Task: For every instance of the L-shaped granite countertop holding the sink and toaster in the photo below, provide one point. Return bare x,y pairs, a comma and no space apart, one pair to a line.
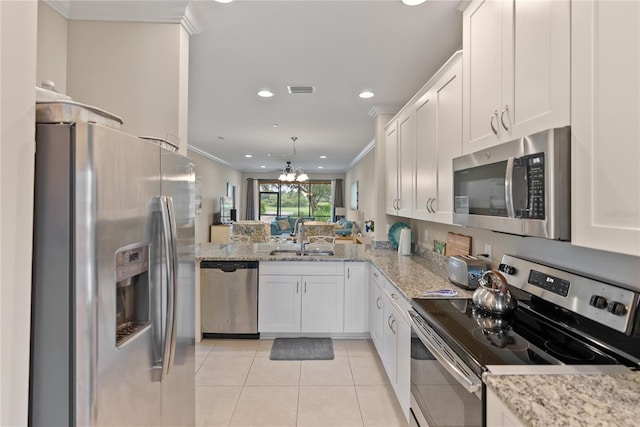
413,275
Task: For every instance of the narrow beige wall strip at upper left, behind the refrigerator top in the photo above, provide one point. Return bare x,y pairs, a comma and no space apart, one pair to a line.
52,47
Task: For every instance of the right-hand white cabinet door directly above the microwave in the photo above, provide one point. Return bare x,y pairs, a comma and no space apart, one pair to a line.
536,77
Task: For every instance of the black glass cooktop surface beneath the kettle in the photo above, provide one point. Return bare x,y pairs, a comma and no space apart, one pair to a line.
521,338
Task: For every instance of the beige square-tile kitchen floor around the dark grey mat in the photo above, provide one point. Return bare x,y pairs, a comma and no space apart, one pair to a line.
237,385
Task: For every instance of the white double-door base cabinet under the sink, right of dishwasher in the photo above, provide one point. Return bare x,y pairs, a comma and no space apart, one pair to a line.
291,302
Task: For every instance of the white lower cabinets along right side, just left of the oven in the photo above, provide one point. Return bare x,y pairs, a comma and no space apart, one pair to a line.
391,333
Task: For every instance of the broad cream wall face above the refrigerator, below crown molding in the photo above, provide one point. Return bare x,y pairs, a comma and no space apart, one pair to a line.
135,70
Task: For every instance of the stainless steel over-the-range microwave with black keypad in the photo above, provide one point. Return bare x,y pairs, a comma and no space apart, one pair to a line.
519,187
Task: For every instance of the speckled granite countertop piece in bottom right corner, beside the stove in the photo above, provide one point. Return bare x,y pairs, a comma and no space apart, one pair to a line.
570,400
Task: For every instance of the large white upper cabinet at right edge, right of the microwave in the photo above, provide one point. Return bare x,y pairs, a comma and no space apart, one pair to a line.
605,120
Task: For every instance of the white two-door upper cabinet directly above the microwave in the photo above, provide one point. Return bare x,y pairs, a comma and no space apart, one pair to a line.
516,69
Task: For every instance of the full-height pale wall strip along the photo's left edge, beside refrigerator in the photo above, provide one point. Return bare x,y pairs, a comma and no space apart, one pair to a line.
18,28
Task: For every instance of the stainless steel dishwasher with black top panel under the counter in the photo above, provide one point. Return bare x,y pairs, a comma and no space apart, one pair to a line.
229,299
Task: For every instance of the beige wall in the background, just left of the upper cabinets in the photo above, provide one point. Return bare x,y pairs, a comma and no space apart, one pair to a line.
365,173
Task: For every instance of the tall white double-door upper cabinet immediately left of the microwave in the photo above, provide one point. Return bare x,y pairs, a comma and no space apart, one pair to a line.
438,140
